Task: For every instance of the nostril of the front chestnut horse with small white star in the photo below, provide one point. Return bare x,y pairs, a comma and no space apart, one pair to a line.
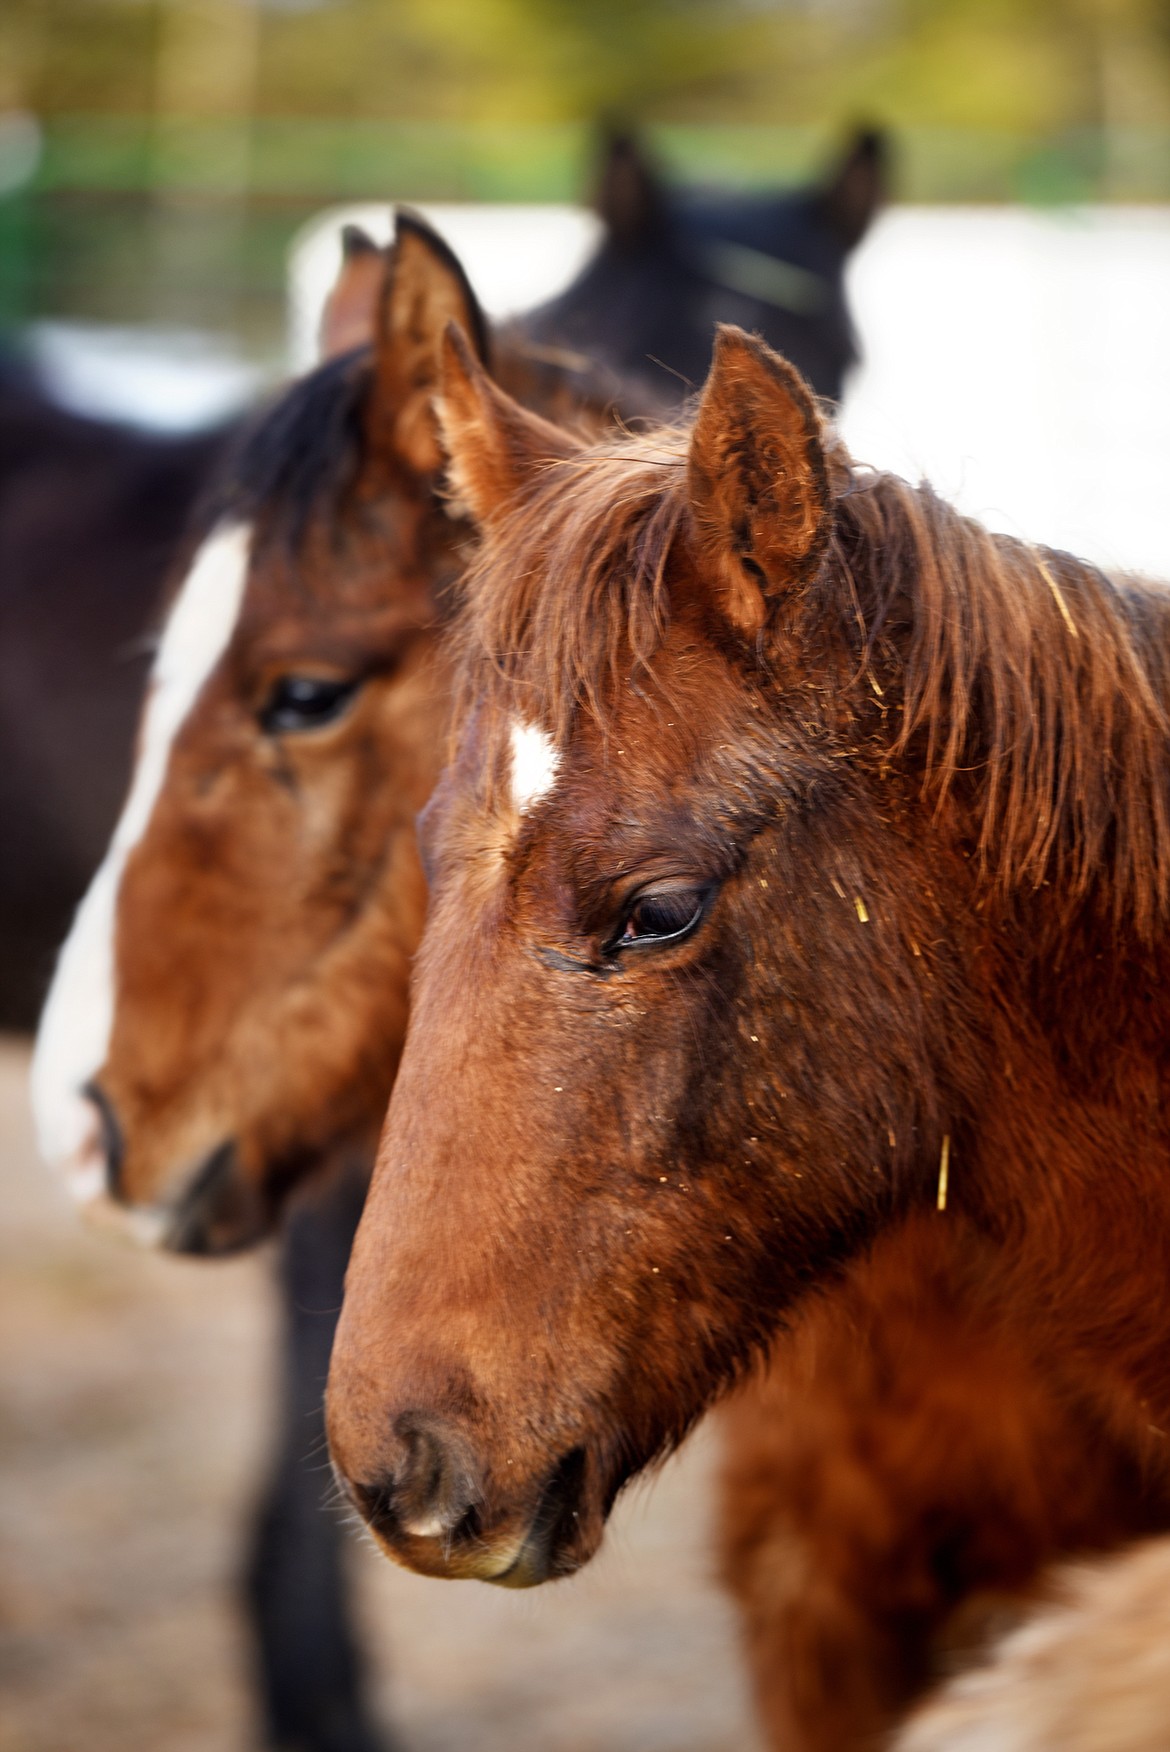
433,1487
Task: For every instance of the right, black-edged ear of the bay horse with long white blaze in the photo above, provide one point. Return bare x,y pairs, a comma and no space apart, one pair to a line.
425,290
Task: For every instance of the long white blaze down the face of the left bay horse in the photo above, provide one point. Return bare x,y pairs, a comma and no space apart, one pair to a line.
78,1019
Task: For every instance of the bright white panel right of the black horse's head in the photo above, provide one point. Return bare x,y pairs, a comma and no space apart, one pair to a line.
1022,364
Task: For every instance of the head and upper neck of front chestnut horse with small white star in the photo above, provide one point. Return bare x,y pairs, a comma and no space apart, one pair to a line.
775,793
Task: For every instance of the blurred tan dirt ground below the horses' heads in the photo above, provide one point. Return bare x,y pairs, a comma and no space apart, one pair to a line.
134,1415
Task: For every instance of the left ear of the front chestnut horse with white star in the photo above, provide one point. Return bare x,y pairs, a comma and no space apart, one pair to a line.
493,444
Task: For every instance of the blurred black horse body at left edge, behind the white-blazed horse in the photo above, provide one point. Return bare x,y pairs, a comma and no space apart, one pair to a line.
90,519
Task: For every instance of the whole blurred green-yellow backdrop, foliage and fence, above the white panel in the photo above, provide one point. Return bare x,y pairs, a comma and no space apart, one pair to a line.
241,118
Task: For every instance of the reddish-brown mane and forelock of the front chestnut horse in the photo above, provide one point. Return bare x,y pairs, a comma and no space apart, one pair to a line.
1022,675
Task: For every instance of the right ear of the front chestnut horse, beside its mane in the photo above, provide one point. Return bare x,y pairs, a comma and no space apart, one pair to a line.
756,477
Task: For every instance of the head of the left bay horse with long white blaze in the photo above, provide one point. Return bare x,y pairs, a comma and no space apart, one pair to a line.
232,1001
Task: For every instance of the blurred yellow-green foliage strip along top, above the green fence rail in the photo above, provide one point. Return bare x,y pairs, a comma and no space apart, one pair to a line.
1018,66
